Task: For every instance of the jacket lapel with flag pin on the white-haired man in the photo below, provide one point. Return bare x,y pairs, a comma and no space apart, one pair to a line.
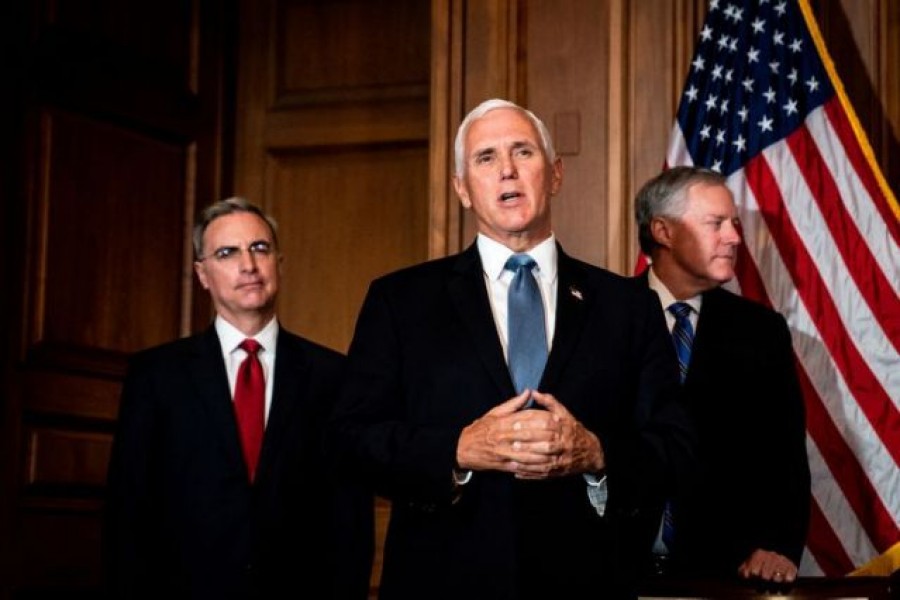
572,299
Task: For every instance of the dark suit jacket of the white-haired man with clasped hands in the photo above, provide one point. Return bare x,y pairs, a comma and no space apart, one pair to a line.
426,361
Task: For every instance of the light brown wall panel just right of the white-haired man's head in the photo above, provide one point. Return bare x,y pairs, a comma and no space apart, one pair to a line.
572,98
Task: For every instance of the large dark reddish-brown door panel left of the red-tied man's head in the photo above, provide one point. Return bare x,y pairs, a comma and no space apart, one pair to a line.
109,271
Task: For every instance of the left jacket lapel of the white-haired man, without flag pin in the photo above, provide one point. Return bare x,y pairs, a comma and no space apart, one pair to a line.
467,292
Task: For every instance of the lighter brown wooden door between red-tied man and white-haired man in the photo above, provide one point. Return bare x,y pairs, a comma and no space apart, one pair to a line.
332,138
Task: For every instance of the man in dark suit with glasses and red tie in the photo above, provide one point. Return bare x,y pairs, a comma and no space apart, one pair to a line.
197,509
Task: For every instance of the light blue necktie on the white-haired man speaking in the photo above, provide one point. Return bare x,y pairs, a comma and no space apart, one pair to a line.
527,351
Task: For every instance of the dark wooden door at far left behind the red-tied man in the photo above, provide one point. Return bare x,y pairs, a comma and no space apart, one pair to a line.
115,136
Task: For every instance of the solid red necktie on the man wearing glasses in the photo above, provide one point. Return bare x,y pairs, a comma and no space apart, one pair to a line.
250,404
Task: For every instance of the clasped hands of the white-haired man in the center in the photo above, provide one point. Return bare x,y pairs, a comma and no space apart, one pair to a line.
530,443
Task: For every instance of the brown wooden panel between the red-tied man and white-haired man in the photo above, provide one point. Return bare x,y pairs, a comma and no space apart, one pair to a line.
345,216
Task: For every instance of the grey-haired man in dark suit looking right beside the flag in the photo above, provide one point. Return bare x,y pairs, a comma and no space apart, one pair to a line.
746,511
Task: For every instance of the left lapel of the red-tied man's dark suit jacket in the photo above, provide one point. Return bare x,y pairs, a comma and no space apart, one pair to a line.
211,385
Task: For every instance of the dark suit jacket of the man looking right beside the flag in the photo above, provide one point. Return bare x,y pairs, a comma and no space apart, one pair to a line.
752,487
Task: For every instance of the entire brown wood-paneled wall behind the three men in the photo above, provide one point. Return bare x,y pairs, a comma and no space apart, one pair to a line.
344,124
